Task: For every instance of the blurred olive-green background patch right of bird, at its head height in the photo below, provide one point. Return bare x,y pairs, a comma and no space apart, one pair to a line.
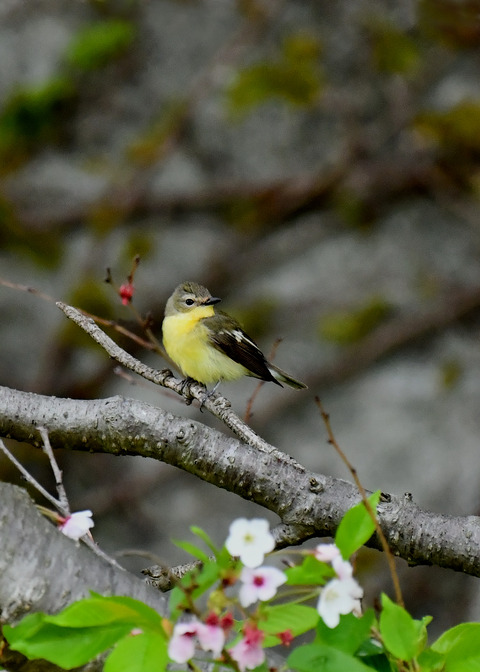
347,327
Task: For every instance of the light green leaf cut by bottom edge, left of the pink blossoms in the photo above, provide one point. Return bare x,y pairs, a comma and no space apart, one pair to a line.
145,652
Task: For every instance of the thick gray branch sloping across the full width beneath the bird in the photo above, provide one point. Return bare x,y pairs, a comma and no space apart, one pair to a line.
308,504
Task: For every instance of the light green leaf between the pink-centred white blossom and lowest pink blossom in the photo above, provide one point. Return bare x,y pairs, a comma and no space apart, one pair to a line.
295,617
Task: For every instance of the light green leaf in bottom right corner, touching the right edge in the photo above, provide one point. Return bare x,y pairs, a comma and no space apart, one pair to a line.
459,646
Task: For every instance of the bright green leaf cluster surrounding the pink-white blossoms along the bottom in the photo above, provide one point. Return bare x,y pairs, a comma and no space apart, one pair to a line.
137,636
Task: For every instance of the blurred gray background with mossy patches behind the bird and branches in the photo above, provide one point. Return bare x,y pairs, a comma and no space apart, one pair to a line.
316,164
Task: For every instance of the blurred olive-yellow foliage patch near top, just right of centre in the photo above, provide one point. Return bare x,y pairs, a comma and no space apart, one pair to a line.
296,78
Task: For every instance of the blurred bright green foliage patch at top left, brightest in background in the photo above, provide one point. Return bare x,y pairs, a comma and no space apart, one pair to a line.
100,43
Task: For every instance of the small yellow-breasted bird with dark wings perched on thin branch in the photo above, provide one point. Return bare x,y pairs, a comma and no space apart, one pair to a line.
212,347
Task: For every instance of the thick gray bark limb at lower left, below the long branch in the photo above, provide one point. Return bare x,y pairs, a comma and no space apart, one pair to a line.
42,570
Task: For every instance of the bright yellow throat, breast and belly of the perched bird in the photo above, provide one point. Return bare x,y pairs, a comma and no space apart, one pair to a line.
186,343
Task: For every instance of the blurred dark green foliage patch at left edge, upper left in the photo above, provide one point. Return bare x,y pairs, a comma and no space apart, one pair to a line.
32,116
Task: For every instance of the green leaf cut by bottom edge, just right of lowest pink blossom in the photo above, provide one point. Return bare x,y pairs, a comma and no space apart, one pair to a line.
316,657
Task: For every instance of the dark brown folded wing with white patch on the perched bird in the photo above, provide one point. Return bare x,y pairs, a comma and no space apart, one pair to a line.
227,336
